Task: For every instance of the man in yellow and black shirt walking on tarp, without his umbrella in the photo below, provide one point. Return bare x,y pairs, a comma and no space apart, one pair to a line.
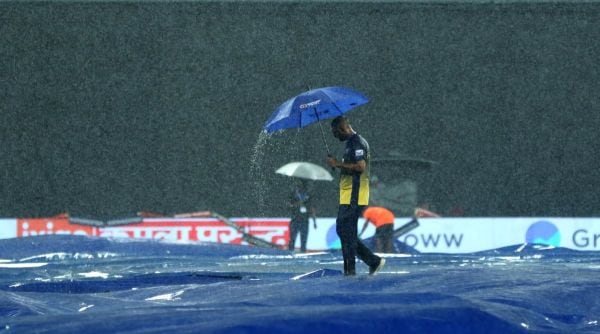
354,196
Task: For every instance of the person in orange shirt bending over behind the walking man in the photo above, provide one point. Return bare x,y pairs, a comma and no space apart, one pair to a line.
383,219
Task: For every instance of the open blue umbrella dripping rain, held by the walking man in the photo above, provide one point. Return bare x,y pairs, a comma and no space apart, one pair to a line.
313,106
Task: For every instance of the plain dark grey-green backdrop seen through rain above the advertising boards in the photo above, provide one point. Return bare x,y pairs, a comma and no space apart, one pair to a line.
112,108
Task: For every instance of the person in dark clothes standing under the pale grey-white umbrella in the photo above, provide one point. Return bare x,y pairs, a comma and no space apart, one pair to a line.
301,210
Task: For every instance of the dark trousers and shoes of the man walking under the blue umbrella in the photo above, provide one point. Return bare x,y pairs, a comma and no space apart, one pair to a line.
347,230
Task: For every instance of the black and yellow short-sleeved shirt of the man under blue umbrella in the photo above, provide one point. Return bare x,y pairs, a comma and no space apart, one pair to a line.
354,186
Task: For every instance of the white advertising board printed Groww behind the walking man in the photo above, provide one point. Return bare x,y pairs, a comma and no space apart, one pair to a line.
467,235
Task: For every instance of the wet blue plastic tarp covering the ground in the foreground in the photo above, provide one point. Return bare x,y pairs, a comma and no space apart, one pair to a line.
68,284
